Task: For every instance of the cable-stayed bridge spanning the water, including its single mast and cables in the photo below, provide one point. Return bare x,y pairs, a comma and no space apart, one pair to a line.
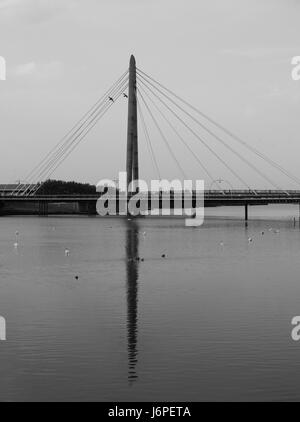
153,105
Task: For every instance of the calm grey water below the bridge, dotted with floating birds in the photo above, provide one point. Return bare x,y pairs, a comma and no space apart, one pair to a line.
212,321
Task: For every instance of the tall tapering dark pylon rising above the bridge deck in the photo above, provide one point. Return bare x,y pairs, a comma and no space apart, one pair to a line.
132,164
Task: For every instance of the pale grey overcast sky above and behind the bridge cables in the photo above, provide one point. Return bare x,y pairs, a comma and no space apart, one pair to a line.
229,58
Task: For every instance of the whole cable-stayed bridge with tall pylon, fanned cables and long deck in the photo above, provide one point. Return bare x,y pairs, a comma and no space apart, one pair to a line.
144,92
